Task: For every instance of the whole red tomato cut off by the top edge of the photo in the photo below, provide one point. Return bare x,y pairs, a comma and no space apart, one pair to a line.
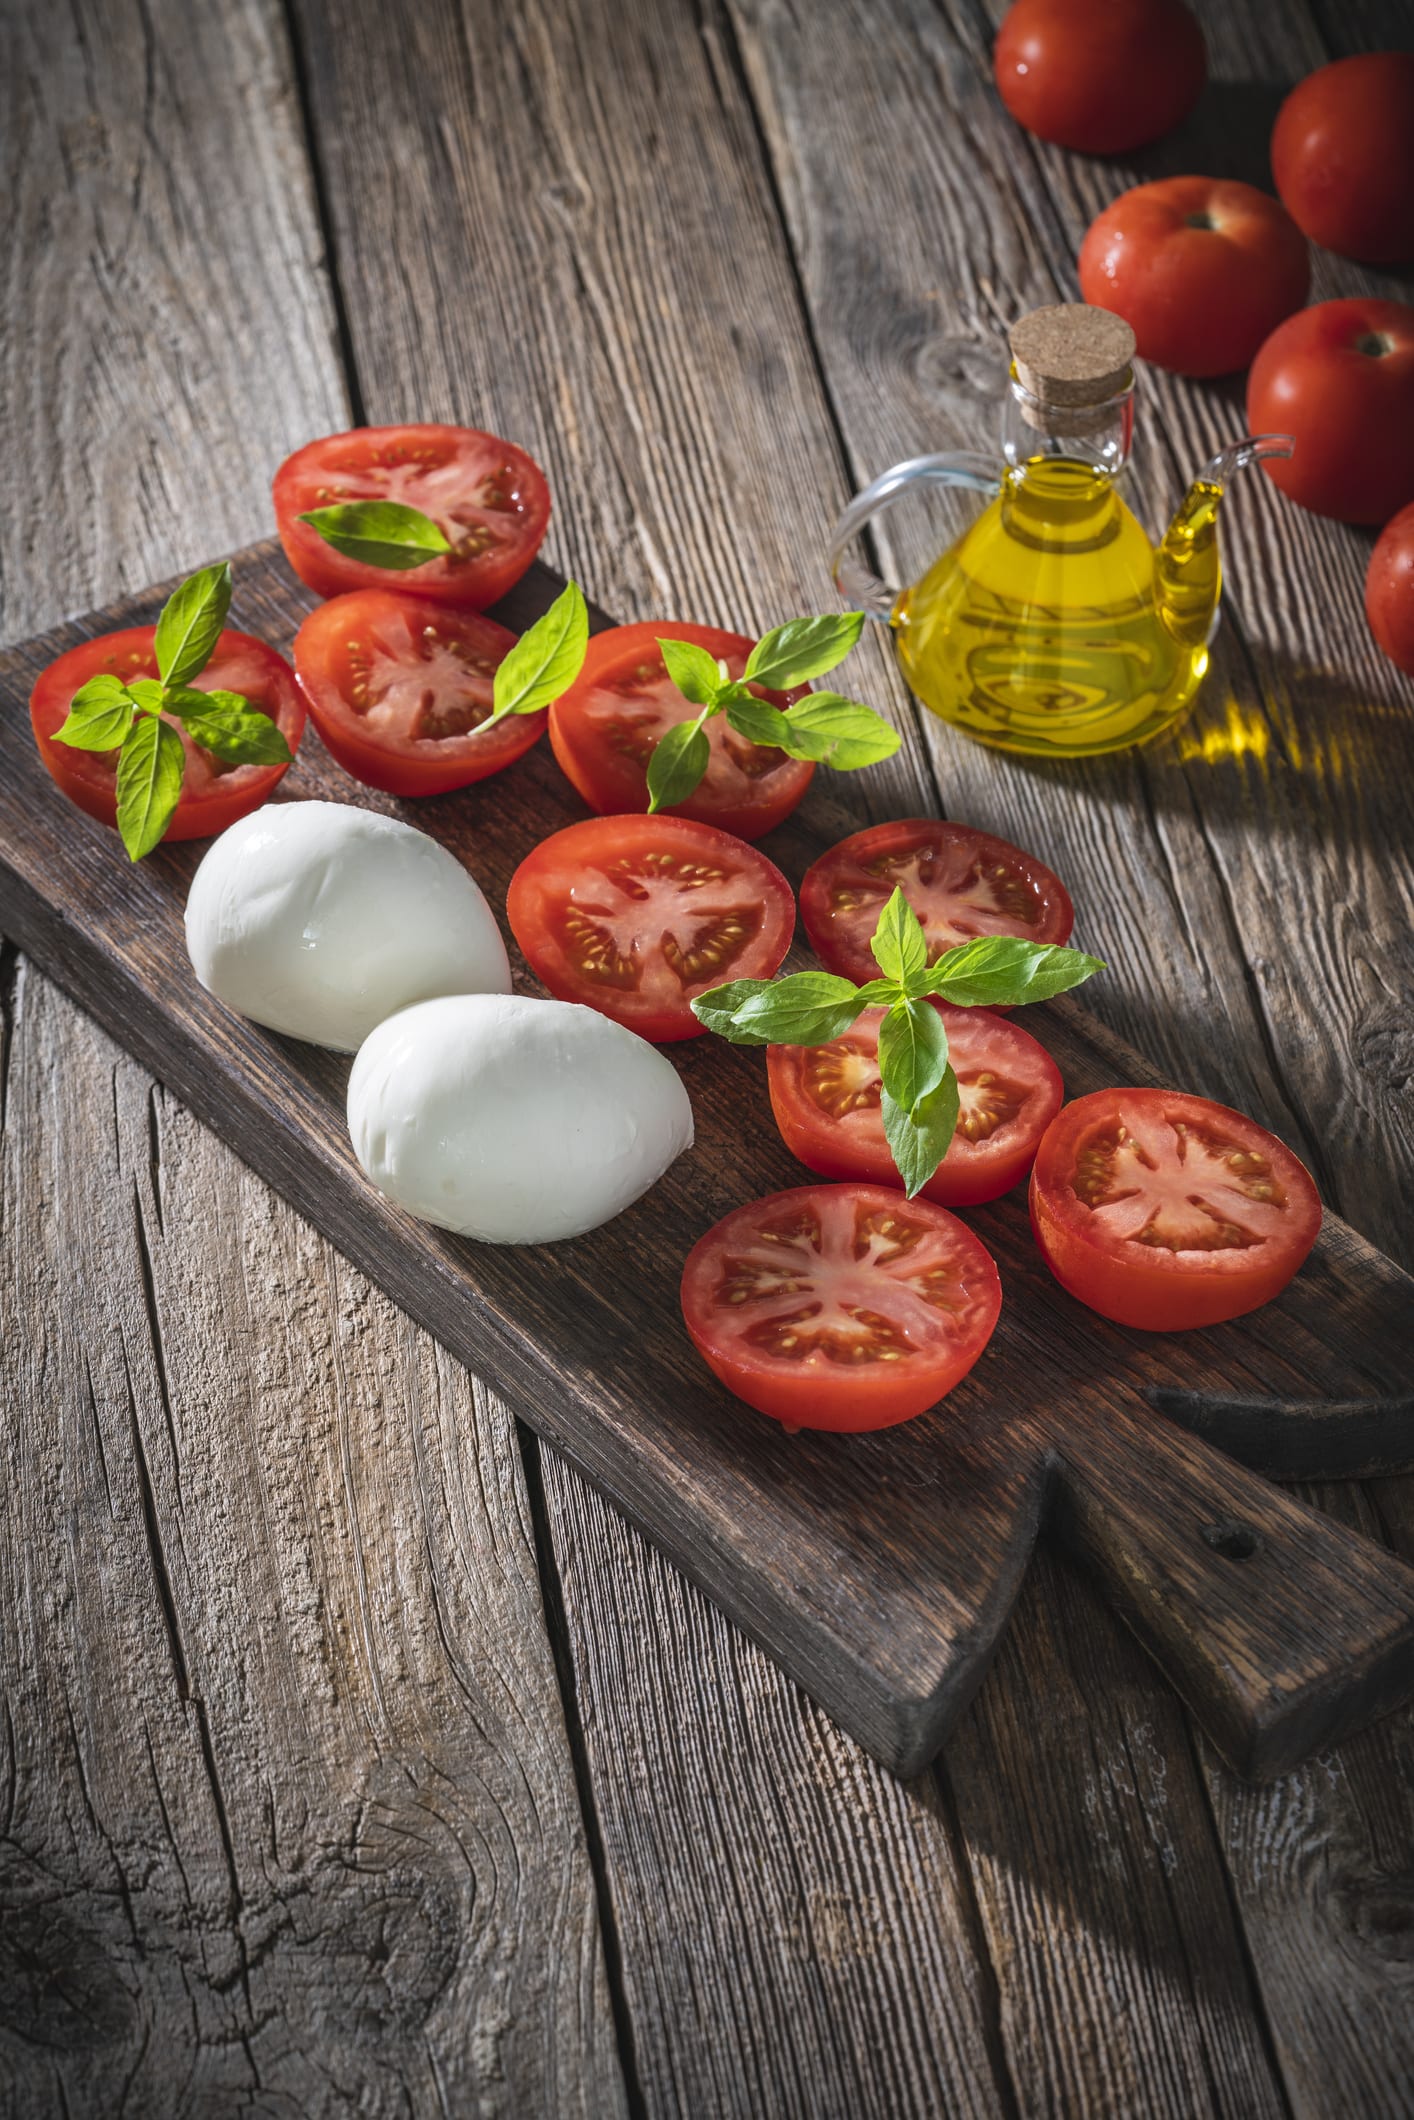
1099,75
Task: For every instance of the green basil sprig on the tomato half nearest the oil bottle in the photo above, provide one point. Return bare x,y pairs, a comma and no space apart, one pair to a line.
824,726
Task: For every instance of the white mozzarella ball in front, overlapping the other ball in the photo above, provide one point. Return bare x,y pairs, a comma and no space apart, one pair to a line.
514,1120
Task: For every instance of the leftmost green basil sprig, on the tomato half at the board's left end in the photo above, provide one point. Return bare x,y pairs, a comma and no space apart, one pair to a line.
132,715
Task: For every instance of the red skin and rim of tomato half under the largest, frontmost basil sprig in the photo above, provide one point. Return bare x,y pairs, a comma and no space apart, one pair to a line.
968,1173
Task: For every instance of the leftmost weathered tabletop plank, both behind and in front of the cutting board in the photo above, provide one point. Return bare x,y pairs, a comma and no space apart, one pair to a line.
268,1835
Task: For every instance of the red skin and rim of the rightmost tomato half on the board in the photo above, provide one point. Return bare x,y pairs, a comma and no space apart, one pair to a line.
1148,1288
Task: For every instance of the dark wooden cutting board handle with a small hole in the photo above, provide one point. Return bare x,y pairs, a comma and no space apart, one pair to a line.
1282,1629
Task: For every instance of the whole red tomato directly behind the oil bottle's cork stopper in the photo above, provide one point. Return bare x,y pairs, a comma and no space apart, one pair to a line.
1201,268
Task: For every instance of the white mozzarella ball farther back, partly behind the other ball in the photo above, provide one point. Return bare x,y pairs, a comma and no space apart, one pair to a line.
321,919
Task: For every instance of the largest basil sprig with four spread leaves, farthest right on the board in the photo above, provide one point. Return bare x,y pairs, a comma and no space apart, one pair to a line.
919,1086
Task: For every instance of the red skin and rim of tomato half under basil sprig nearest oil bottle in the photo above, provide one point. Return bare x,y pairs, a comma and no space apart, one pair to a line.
616,785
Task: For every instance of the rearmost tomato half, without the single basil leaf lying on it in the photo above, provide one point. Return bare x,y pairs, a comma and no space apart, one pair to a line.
487,497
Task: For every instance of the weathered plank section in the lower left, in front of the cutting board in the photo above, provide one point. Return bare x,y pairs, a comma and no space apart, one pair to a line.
287,1812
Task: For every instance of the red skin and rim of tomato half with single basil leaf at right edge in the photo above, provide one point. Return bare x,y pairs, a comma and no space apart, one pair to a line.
402,766
